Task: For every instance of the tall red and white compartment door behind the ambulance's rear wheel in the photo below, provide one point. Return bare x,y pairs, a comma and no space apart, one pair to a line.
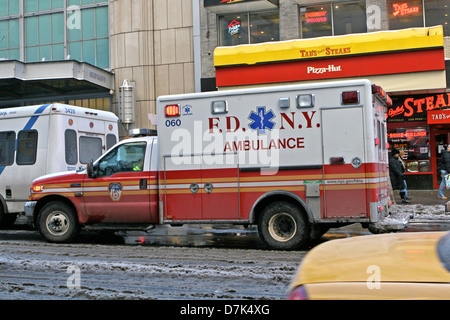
343,162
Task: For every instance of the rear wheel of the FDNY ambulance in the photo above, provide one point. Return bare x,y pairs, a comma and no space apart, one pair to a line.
281,226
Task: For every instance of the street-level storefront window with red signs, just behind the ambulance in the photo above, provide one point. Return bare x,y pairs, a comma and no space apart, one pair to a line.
416,144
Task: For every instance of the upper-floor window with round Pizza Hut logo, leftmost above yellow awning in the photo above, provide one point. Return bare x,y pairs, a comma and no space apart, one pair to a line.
244,28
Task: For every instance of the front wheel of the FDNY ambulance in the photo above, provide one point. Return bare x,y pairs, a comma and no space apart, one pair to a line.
57,222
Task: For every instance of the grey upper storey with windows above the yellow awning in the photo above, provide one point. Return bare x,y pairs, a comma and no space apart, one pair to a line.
225,23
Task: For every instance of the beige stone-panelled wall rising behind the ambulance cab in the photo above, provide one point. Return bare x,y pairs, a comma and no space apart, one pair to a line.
151,45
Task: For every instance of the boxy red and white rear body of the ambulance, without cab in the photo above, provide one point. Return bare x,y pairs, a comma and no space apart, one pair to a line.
290,143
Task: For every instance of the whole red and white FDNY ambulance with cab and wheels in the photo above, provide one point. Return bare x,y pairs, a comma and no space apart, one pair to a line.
294,160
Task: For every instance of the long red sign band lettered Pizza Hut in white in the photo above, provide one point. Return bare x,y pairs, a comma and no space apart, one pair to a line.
340,67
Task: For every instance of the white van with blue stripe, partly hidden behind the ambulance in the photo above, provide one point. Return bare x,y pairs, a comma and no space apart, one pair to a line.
42,139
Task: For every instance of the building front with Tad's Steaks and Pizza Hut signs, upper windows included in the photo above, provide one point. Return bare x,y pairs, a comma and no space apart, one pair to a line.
417,122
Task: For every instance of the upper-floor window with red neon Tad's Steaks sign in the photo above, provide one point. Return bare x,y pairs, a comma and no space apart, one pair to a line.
405,14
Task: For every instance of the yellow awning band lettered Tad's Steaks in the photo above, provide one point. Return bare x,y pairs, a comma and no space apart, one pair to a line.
364,43
